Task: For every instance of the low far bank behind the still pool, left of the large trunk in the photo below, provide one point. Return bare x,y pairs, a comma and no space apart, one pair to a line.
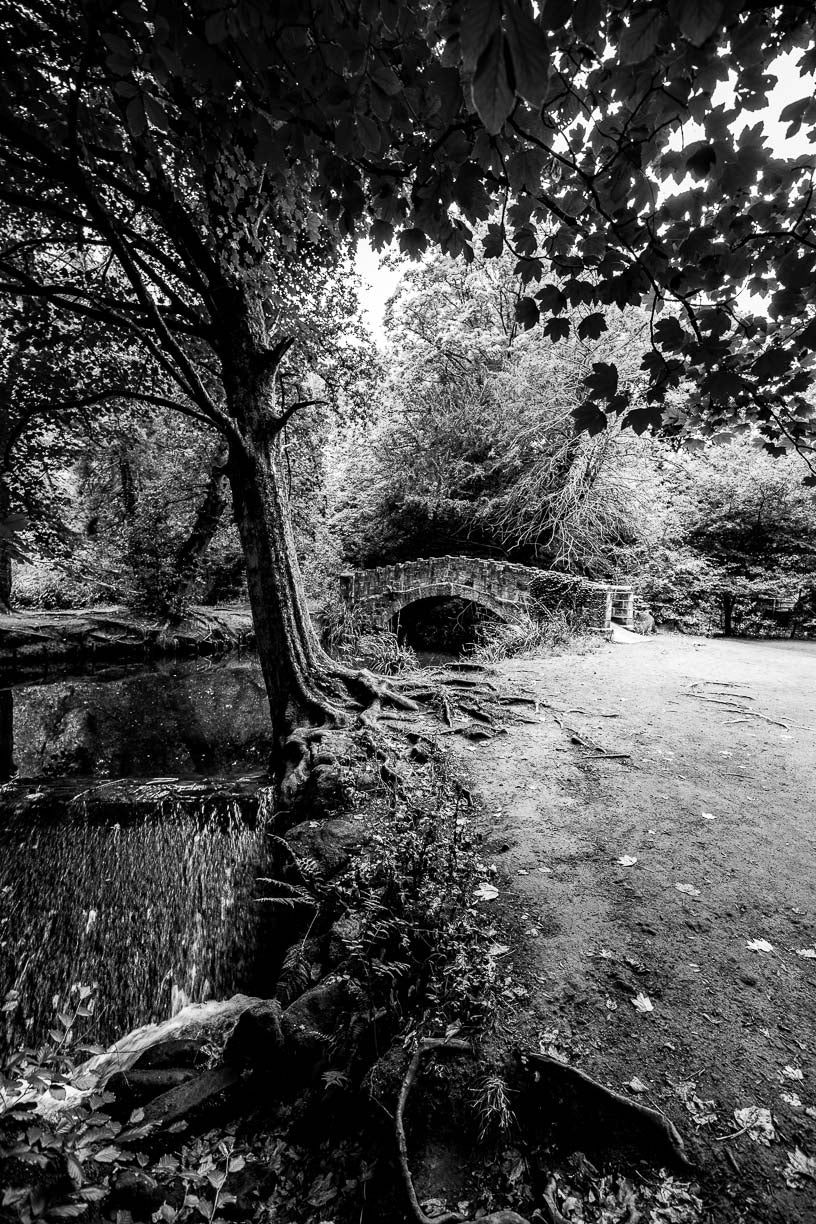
34,642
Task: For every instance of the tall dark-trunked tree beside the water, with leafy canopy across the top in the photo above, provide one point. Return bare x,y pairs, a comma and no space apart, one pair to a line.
195,150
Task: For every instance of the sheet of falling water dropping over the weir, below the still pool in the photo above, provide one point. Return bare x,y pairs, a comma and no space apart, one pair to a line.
152,914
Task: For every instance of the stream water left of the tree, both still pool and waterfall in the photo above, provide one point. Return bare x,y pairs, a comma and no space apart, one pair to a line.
151,911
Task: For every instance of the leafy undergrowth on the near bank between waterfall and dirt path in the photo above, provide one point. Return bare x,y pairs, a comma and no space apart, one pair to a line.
417,947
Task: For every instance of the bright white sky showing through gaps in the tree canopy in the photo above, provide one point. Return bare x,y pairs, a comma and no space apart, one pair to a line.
380,282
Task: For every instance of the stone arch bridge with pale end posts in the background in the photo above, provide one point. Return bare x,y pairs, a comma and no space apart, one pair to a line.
497,586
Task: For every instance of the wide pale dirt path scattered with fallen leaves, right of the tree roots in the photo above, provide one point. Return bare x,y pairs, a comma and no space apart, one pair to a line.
731,1028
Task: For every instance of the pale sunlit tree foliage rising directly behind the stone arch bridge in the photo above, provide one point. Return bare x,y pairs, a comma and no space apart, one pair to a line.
481,417
